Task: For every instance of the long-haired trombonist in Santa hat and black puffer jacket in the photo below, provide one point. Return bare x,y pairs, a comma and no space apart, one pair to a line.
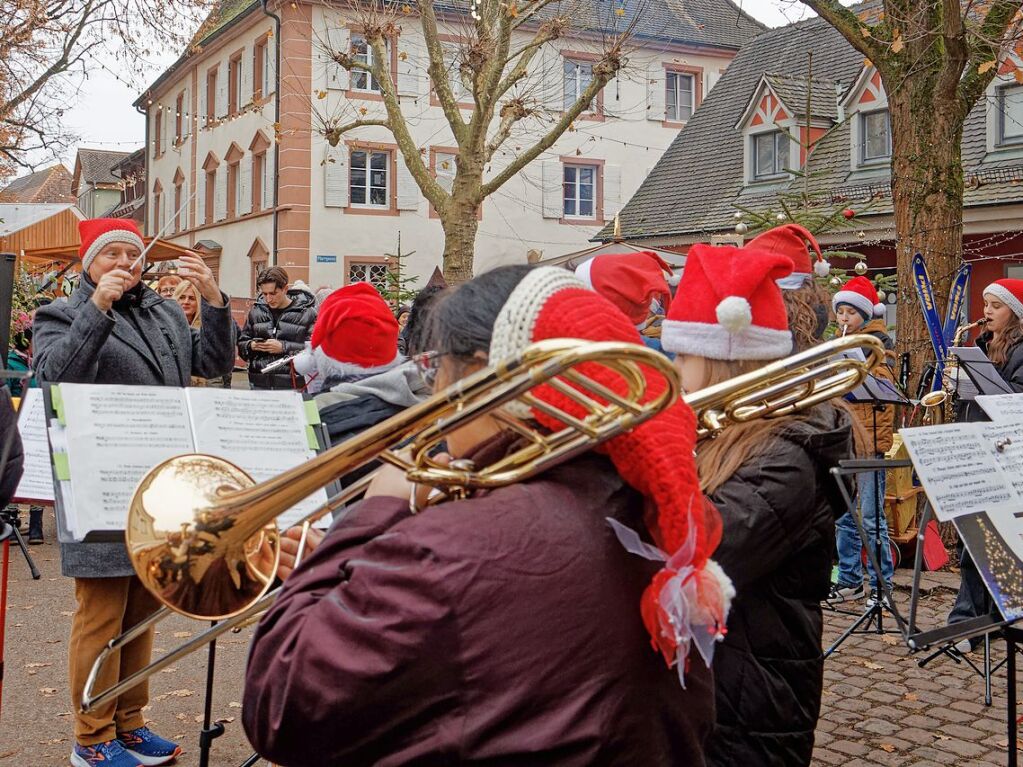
771,481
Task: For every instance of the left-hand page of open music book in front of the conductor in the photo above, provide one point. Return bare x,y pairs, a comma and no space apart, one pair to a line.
115,436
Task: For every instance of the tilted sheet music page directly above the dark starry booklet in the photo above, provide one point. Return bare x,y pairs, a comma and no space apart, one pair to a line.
957,466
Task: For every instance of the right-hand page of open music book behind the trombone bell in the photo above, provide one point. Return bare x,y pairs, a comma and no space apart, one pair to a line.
261,432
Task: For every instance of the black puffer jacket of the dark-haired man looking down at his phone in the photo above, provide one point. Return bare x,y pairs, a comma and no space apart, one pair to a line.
292,328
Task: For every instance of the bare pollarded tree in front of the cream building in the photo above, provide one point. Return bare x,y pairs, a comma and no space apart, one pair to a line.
494,66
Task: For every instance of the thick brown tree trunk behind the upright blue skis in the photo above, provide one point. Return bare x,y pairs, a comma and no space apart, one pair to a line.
937,59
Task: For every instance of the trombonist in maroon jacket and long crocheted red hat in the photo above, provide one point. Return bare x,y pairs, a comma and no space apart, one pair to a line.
507,628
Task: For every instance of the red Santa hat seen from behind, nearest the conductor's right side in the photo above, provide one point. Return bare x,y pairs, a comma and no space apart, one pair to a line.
355,327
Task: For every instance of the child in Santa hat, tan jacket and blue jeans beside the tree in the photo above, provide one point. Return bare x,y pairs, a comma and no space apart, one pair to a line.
859,311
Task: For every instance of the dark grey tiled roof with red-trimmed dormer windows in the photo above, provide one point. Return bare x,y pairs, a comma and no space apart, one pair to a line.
697,187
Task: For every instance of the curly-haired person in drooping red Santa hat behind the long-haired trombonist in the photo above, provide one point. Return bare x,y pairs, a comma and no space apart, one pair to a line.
807,303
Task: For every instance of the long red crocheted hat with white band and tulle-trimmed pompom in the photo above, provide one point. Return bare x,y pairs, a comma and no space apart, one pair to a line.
688,601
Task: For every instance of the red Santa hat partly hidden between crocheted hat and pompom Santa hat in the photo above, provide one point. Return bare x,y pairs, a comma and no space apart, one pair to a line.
630,281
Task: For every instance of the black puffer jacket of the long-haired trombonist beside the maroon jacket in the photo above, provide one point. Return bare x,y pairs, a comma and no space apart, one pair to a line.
779,513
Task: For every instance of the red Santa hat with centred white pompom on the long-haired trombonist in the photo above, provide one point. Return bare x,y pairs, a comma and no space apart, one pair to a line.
729,306
